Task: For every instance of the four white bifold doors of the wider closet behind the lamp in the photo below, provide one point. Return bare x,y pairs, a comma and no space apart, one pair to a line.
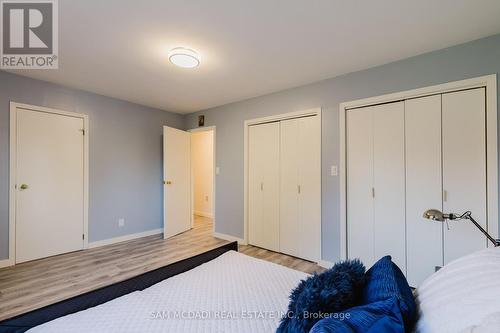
406,157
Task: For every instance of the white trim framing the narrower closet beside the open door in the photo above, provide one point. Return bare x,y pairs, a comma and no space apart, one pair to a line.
262,120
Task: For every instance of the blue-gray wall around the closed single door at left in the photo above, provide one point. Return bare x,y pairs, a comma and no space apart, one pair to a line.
125,156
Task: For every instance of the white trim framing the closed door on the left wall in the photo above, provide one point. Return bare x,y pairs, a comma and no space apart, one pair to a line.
13,168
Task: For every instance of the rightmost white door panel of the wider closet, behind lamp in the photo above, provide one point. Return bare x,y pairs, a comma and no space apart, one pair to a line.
464,169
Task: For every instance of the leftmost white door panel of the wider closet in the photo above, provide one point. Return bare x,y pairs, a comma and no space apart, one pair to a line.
359,141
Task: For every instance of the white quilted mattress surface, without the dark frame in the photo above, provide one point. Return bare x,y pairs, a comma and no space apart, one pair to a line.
232,293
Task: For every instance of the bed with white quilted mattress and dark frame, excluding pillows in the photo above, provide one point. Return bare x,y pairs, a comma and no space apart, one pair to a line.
219,291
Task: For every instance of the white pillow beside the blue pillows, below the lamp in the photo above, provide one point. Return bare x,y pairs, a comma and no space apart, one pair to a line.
461,295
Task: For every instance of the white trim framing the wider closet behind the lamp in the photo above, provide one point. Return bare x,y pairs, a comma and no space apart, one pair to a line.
490,83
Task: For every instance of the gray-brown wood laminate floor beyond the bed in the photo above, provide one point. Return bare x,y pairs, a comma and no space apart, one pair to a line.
38,283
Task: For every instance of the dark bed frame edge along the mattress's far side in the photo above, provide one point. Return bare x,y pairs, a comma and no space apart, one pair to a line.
26,321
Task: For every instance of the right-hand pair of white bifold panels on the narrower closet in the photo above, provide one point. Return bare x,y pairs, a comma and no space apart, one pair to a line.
300,187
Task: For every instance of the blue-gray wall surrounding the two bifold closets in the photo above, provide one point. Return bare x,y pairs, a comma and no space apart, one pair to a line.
473,59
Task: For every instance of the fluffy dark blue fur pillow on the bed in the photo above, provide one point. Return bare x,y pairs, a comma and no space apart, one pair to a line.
335,290
